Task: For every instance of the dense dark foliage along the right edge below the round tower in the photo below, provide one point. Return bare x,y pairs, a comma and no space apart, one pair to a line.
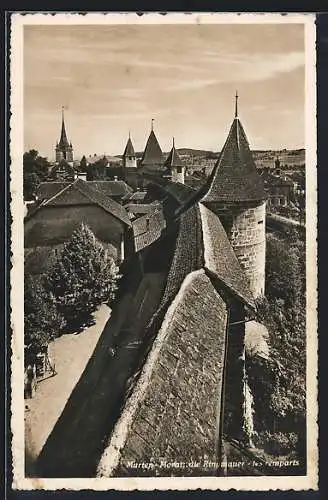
278,384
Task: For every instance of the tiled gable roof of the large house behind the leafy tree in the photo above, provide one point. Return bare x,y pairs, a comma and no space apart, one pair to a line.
70,196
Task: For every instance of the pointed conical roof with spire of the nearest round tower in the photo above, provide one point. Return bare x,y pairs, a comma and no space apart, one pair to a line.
234,177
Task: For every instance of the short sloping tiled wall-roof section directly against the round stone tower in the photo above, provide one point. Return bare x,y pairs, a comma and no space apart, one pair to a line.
220,258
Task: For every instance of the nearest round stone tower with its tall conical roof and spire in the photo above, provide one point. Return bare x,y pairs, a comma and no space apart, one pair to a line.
235,192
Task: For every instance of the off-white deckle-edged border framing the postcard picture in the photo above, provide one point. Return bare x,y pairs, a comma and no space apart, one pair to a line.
310,481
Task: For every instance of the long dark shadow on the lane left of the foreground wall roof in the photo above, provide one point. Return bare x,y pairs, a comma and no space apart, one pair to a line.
80,435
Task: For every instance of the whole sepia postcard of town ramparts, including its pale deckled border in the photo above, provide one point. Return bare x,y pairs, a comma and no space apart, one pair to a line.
163,283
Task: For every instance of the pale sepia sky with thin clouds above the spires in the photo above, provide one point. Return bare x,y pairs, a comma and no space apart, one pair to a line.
112,79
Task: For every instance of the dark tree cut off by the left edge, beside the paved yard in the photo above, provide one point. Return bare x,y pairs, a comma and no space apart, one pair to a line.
42,322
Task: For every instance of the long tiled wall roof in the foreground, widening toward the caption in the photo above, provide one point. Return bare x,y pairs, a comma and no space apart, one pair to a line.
166,421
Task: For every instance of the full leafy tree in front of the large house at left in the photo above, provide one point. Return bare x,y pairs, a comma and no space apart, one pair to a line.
83,277
